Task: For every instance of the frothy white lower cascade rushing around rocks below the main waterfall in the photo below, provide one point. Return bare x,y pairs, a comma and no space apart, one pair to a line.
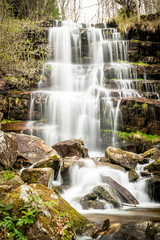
88,175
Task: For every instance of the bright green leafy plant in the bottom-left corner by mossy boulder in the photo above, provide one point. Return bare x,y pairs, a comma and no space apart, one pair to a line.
11,227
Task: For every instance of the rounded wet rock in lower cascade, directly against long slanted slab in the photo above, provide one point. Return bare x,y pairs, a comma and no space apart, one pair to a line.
108,195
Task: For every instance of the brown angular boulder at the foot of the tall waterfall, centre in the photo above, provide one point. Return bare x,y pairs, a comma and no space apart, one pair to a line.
70,148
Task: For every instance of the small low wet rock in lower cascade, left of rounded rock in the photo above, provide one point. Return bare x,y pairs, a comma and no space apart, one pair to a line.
90,201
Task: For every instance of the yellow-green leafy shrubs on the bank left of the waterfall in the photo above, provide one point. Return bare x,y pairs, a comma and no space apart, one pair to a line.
21,57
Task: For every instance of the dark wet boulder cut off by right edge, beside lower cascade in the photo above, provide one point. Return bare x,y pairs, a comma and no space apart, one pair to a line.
154,188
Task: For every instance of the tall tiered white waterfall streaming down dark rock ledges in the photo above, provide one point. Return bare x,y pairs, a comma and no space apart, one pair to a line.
81,85
